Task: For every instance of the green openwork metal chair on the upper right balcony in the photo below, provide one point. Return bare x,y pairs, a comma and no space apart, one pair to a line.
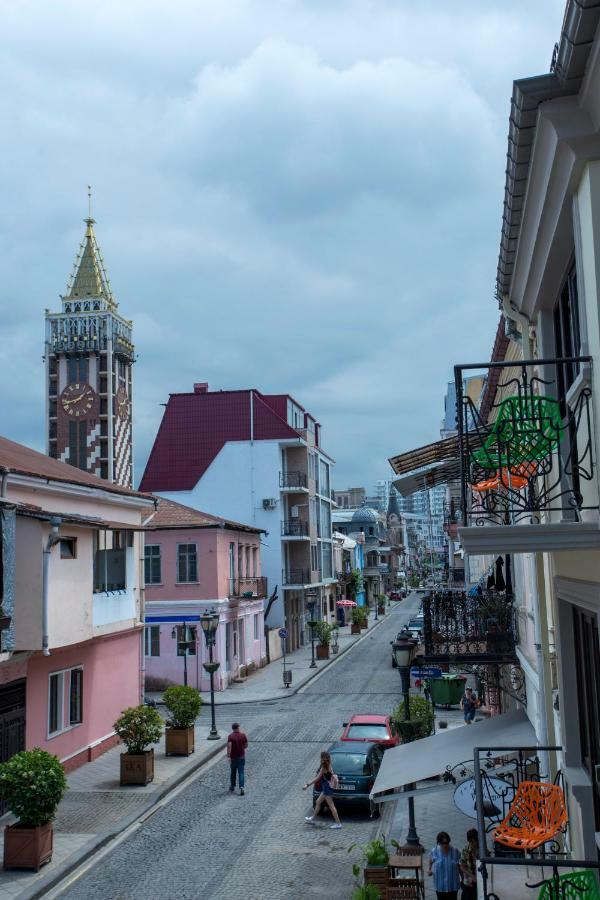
526,430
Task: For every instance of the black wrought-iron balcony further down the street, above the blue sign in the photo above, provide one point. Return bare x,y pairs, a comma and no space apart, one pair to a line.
461,628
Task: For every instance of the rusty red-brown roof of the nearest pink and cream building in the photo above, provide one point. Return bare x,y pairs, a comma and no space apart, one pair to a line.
24,461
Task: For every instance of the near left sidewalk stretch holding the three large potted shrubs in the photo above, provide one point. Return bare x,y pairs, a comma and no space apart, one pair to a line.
96,808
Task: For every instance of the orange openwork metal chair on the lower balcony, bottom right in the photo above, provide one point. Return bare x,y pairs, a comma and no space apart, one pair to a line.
536,815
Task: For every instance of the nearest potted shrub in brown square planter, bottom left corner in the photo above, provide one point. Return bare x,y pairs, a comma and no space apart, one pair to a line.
32,784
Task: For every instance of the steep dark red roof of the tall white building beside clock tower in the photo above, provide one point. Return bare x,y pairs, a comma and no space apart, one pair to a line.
194,429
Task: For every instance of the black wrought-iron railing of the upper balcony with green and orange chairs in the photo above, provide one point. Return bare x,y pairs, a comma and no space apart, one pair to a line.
526,451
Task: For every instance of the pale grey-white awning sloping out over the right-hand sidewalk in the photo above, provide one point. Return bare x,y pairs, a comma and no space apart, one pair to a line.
432,756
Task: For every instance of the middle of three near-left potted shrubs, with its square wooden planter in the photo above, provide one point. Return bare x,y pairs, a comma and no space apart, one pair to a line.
138,727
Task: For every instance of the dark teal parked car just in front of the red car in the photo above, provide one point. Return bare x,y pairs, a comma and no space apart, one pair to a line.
356,766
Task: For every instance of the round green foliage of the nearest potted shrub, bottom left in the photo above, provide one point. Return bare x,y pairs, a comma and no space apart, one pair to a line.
32,783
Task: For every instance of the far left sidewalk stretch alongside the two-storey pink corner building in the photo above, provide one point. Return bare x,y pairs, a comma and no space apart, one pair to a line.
267,683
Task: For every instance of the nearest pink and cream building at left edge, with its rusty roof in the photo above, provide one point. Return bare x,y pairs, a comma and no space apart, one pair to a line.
72,599
